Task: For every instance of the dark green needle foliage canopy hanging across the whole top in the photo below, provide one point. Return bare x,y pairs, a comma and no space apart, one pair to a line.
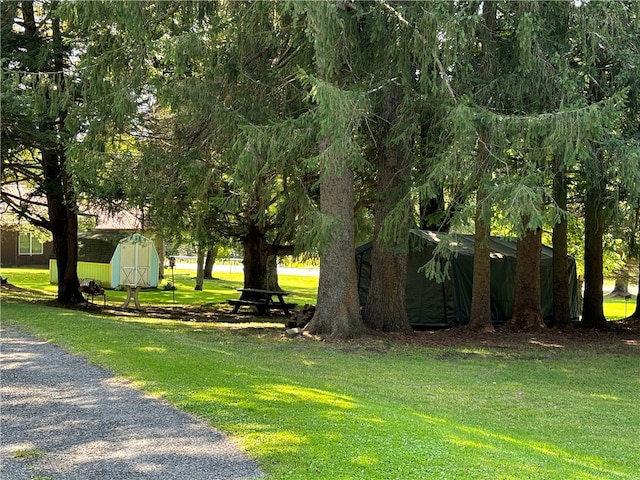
208,116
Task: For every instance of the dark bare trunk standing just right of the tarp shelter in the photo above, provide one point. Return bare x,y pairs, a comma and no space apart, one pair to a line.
593,310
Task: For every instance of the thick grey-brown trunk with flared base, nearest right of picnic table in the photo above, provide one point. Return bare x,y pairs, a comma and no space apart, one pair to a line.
338,309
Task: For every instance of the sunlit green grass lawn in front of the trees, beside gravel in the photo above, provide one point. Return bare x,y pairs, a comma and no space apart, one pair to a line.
372,408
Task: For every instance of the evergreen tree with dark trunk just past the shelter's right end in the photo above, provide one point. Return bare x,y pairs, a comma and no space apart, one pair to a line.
606,57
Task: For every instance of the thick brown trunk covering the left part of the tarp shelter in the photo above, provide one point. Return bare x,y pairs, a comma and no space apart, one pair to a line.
385,308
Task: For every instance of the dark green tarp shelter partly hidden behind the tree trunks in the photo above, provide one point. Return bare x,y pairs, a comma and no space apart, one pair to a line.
445,304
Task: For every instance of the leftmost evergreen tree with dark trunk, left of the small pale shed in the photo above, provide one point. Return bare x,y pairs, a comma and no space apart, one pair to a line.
39,86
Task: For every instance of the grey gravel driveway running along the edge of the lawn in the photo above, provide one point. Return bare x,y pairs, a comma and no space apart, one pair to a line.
63,419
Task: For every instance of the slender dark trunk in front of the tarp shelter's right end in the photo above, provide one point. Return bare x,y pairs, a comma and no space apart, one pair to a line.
560,265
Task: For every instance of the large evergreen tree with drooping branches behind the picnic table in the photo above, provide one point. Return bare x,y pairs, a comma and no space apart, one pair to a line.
230,100
